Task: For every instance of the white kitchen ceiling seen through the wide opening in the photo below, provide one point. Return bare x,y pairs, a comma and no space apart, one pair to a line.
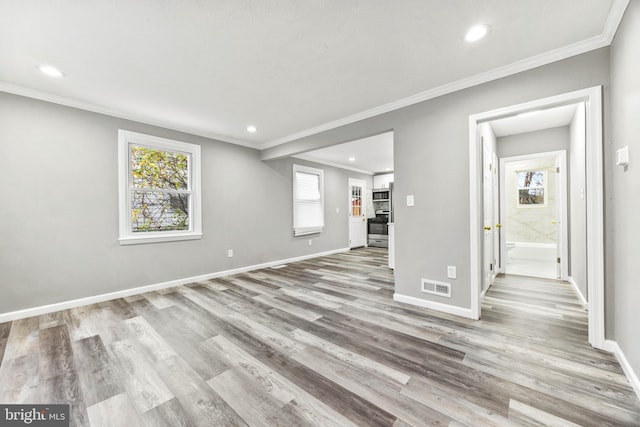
371,155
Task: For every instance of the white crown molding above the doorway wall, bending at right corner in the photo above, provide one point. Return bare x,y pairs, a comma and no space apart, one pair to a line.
612,23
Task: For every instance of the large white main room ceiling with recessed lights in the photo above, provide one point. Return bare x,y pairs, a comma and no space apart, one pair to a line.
289,67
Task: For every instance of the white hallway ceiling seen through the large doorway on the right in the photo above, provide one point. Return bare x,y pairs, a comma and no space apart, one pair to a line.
533,121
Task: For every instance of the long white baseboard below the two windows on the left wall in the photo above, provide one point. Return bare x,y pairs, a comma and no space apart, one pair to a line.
64,305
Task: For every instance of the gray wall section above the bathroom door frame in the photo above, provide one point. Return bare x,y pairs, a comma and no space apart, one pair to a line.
534,142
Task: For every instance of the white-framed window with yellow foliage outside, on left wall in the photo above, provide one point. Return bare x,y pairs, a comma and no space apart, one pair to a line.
159,181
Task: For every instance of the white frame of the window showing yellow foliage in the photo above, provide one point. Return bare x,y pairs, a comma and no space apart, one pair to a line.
125,140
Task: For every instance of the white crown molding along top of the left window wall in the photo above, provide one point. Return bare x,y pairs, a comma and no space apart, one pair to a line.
74,103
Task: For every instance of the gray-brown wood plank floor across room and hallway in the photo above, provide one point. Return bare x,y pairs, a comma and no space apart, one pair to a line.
318,342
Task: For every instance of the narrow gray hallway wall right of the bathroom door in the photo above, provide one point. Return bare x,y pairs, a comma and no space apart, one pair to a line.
577,201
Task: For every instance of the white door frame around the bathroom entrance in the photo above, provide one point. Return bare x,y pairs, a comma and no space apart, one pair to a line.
563,208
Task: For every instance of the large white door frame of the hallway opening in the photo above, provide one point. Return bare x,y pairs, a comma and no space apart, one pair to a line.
592,97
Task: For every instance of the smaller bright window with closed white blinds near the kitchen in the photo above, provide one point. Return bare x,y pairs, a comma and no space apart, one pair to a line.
308,204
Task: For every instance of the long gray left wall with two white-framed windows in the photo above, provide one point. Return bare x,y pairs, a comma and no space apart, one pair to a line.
59,209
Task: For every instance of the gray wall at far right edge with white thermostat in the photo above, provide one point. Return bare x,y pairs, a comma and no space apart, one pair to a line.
623,198
